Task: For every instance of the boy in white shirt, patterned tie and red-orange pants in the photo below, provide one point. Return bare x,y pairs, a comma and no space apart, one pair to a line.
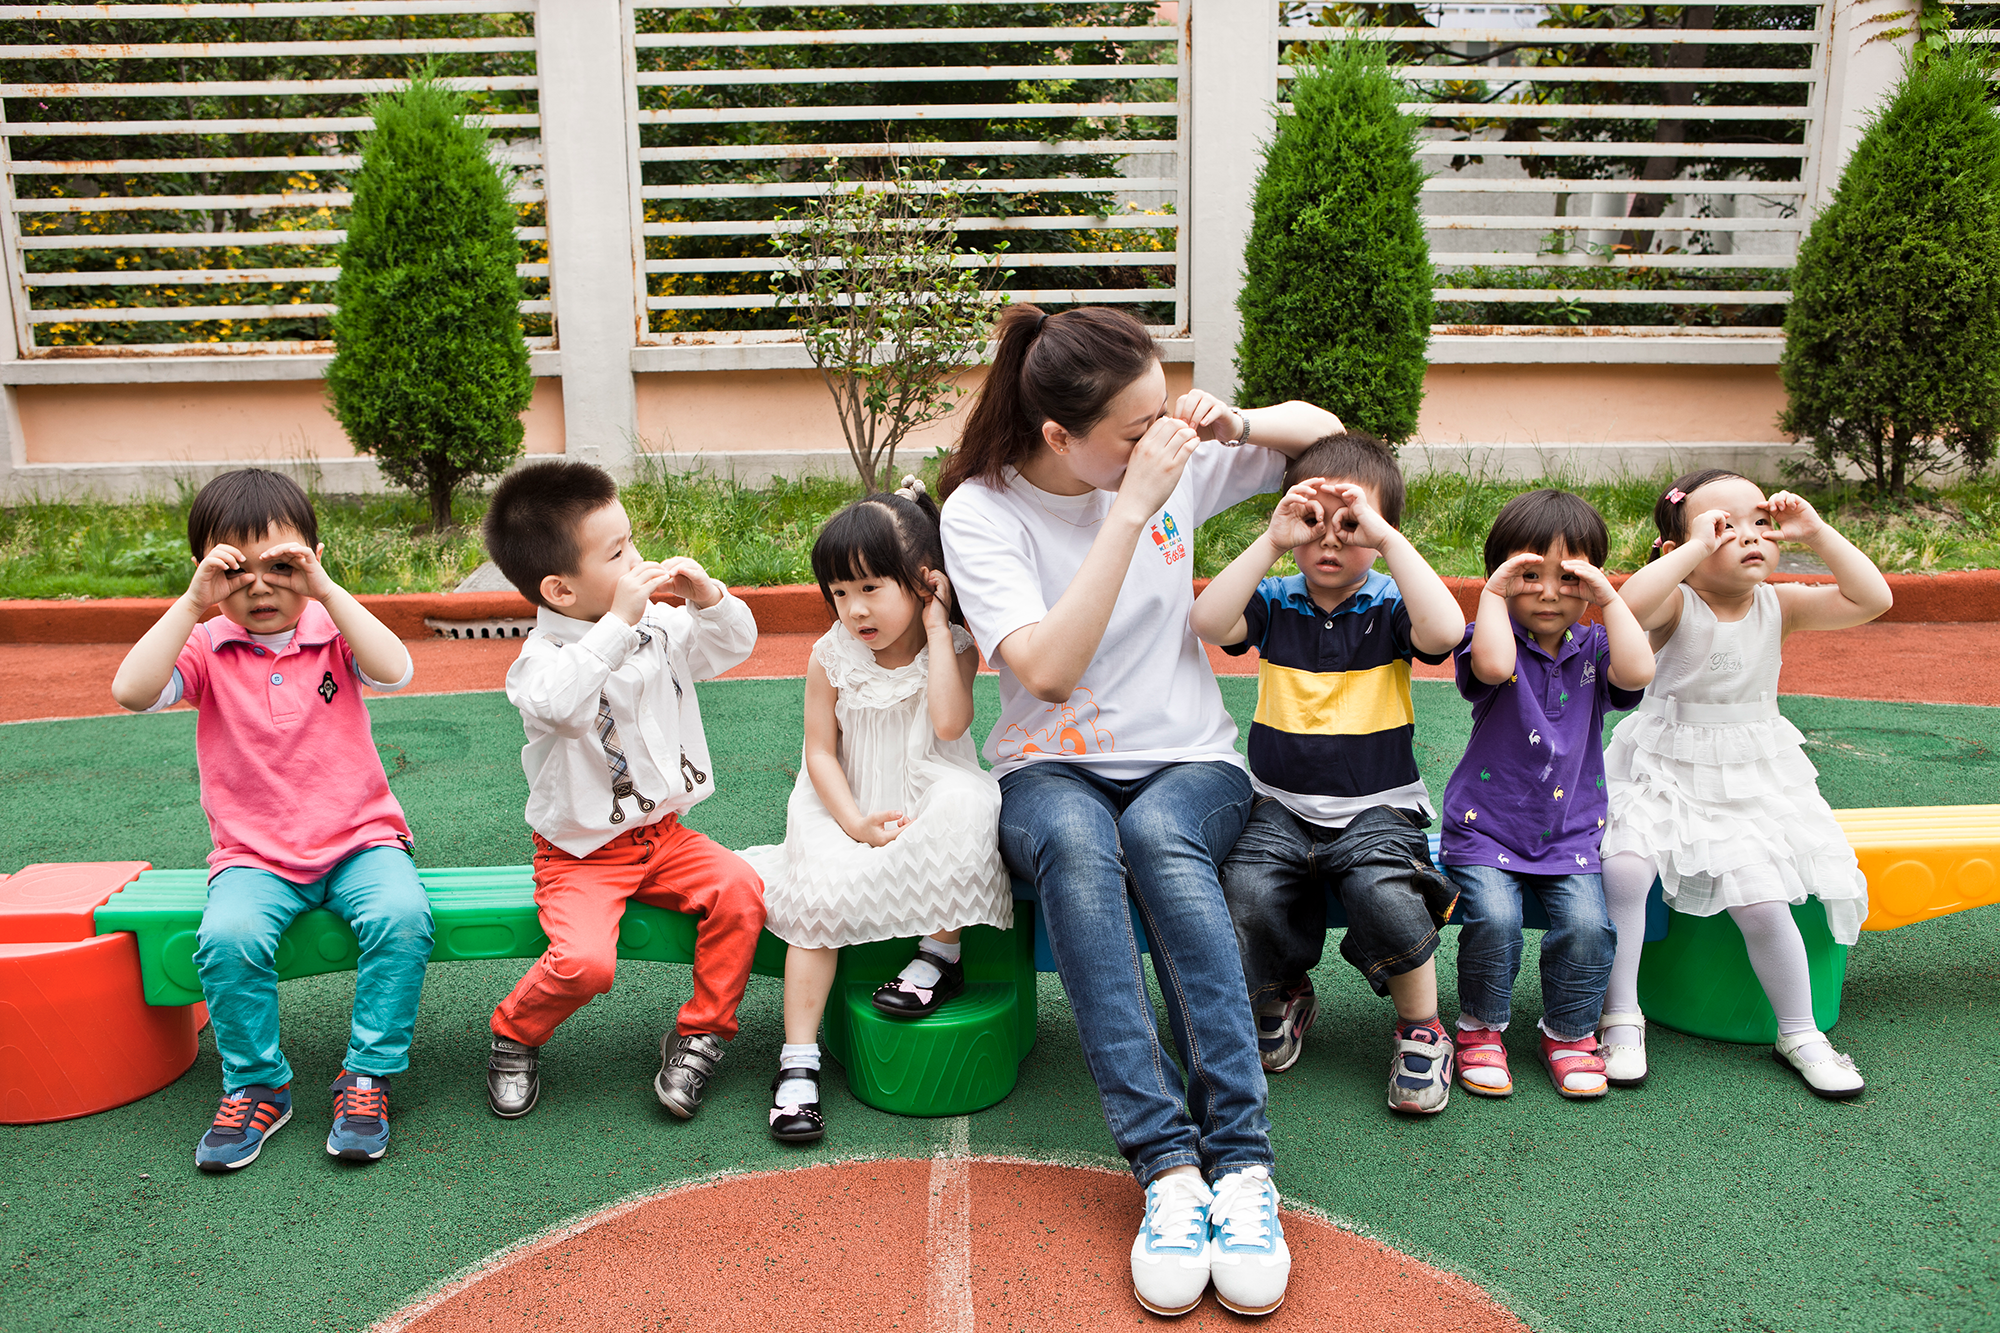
615,758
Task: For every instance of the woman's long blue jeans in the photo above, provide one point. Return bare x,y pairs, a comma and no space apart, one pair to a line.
1089,842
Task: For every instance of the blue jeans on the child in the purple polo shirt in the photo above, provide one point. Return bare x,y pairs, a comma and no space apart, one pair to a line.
1577,950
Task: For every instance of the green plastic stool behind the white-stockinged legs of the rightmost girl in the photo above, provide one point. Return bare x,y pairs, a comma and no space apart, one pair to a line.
1699,978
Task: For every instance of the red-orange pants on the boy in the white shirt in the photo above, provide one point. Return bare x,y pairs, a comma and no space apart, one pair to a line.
581,902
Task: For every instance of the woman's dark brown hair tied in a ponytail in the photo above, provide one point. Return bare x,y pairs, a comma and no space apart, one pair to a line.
1047,367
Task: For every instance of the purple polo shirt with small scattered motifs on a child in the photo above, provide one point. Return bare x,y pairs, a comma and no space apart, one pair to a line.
1529,796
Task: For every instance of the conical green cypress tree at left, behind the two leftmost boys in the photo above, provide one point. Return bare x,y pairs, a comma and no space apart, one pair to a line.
431,369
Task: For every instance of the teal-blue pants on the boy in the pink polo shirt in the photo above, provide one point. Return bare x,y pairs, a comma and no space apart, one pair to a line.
375,892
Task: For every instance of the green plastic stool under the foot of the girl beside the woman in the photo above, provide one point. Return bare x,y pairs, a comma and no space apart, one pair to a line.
967,1056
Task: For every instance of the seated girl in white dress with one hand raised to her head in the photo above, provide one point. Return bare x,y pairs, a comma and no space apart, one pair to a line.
893,828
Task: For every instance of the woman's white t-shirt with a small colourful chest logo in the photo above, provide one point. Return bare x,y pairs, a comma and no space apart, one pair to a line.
1149,696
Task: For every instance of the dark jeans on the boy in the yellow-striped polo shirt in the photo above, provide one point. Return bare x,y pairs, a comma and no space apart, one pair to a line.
1379,870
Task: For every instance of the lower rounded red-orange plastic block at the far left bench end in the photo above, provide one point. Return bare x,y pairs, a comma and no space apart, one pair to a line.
77,1034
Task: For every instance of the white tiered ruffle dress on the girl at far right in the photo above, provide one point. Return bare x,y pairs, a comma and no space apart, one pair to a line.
1709,780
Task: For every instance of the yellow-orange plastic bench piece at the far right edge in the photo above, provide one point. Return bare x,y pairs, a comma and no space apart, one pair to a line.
1925,862
